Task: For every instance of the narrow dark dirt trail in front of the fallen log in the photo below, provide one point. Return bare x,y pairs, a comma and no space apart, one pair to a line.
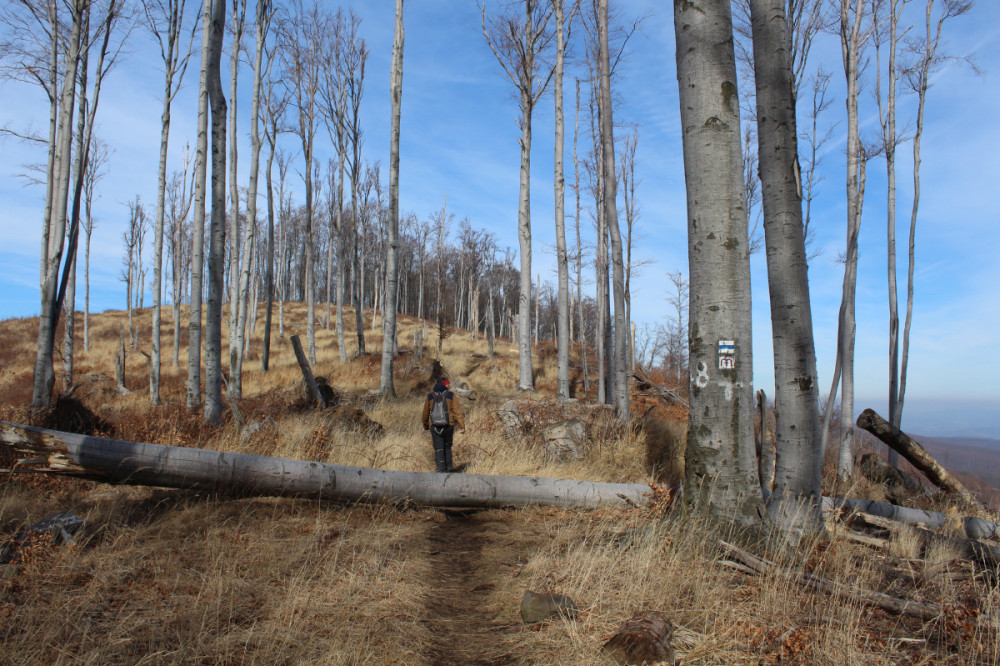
464,628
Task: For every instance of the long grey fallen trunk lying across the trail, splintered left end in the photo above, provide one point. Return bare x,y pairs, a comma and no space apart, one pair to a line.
117,461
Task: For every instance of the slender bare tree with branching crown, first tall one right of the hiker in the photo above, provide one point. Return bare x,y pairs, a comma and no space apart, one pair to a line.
520,45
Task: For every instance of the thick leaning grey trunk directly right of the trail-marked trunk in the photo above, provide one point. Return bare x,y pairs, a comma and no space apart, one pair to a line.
799,460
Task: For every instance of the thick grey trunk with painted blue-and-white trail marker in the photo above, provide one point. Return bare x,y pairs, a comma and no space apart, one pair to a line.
721,473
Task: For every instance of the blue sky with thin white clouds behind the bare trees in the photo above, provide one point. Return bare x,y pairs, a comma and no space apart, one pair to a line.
459,136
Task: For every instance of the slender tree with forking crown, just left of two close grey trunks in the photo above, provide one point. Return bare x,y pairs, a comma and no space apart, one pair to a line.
165,20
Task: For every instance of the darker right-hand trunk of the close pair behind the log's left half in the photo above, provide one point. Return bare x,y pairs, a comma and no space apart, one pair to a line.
216,252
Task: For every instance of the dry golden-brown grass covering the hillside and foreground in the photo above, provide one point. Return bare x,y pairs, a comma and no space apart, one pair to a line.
167,576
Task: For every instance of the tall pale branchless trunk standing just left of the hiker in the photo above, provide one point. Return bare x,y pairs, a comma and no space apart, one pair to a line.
386,388
